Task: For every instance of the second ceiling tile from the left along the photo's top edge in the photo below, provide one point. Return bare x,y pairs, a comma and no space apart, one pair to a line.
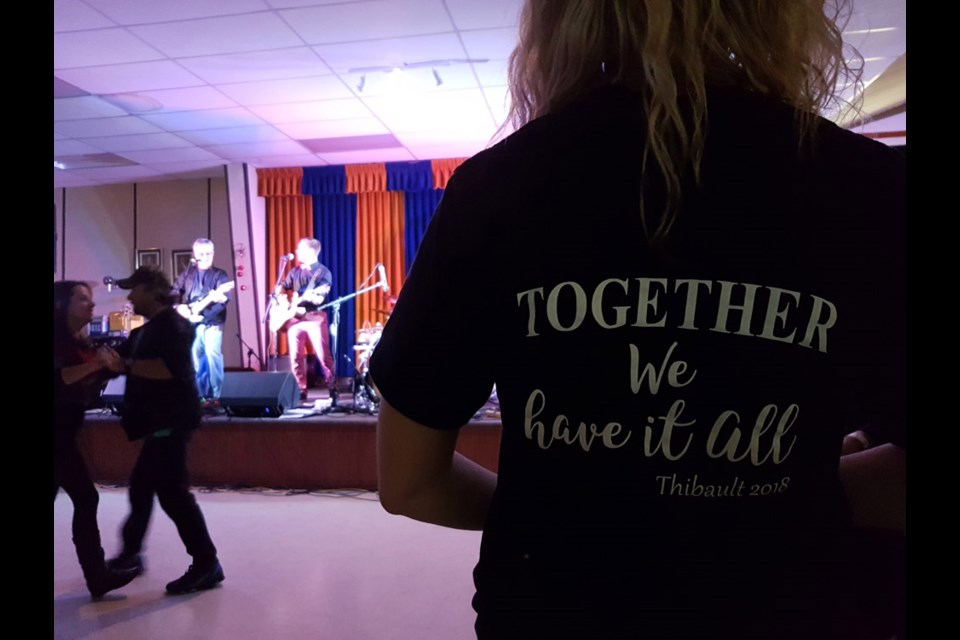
143,12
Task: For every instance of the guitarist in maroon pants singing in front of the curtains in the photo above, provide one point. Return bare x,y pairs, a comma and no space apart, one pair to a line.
309,283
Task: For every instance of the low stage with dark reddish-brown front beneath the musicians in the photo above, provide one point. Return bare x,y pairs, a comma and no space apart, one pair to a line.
301,449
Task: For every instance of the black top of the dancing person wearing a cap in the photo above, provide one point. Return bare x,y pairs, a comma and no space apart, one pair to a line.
157,405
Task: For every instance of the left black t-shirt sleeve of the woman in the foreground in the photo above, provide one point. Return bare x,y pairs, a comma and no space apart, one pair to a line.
434,363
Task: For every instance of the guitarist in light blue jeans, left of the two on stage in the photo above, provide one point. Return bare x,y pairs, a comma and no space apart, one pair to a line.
203,293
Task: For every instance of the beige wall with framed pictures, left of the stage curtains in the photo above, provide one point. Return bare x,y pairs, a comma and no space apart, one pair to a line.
98,230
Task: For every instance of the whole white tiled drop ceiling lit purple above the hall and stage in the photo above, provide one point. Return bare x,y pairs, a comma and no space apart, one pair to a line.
164,89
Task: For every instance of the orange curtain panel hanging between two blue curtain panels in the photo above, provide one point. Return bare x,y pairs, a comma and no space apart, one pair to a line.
379,239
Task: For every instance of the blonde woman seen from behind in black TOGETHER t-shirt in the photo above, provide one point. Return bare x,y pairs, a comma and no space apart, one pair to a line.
687,286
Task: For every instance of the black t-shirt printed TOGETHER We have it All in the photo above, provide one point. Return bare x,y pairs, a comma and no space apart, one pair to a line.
671,419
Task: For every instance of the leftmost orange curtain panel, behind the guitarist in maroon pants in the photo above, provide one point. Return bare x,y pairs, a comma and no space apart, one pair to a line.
289,218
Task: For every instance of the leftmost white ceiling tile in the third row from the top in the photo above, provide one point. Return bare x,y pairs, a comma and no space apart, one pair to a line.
137,76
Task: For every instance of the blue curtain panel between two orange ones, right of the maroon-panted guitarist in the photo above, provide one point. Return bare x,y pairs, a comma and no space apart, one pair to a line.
335,226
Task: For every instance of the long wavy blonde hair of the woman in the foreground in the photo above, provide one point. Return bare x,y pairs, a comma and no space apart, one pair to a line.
789,50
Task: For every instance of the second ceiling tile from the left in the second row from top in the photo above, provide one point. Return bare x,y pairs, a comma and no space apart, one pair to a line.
214,36
